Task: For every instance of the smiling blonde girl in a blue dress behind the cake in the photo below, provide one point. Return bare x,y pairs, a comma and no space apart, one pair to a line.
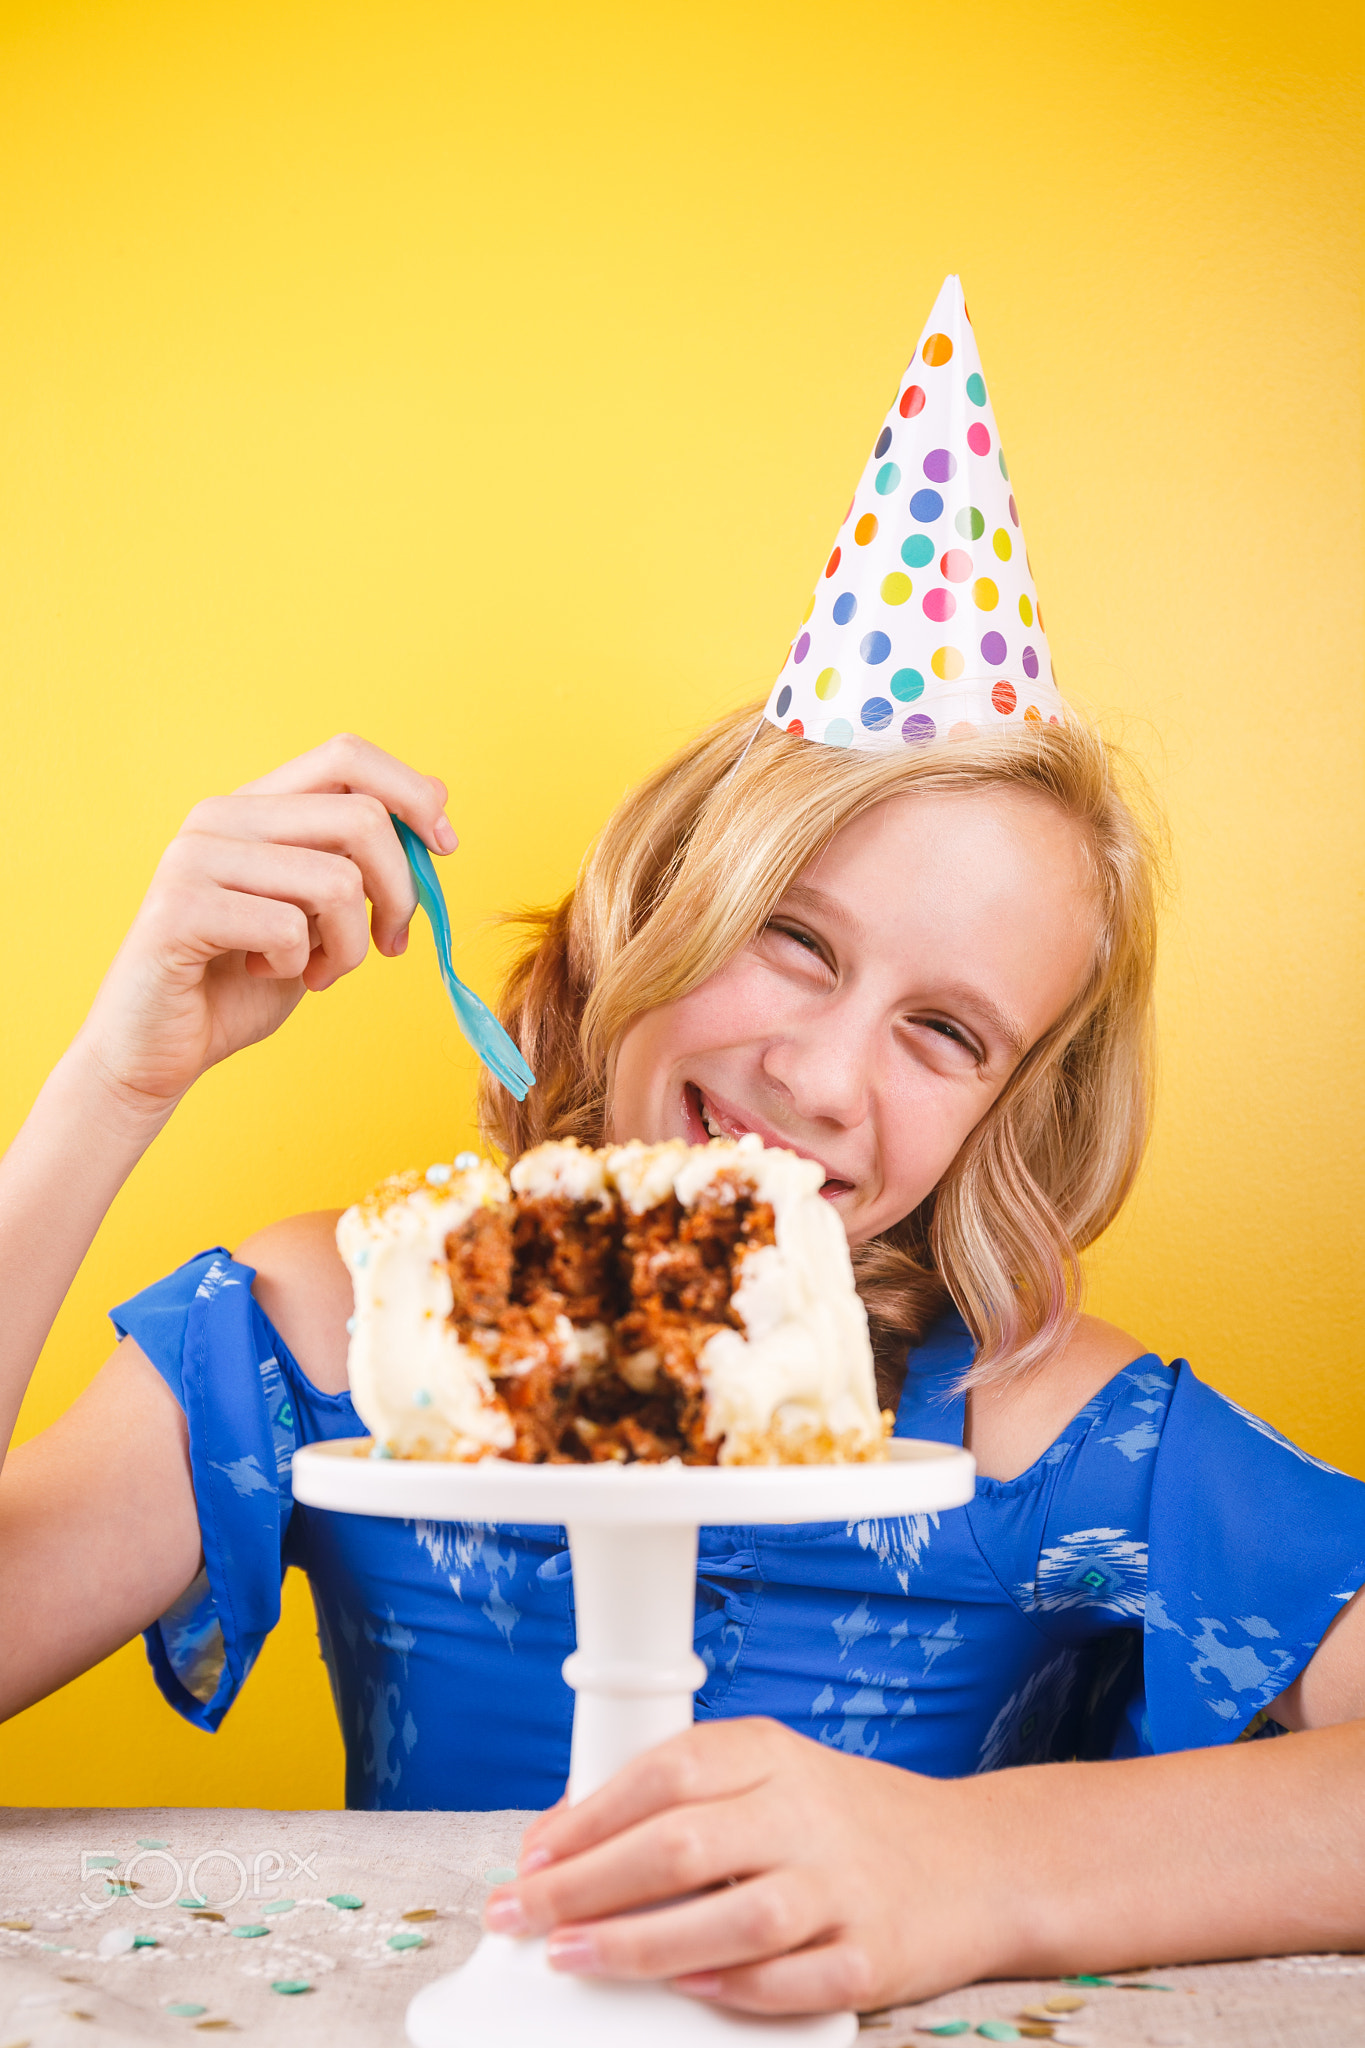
932,974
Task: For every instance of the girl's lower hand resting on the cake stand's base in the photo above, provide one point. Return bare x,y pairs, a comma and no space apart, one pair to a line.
805,1879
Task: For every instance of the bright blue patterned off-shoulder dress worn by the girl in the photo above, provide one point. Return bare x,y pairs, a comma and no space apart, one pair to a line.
1159,1576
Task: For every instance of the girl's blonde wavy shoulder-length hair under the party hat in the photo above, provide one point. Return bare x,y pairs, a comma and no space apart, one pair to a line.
691,867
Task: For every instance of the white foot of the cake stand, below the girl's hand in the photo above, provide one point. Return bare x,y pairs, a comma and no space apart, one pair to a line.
509,1998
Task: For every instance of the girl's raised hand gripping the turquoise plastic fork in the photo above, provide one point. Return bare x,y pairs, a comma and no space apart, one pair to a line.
259,898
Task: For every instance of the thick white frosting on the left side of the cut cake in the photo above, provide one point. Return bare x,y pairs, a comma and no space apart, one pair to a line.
416,1388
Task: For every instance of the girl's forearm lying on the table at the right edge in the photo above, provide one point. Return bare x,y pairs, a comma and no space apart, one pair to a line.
1194,1857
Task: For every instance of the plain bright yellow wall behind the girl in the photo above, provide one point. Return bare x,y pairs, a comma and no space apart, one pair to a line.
492,382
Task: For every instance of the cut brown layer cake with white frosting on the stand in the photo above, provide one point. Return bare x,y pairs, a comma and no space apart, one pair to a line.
633,1304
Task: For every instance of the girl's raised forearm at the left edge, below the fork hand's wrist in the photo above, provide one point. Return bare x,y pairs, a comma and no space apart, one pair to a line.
77,1148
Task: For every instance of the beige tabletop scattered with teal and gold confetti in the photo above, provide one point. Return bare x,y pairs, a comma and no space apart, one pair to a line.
60,1908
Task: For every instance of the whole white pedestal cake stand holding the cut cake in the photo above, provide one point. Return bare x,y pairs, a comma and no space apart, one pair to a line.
633,1547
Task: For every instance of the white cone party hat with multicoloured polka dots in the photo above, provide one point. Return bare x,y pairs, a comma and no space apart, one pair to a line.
926,622
